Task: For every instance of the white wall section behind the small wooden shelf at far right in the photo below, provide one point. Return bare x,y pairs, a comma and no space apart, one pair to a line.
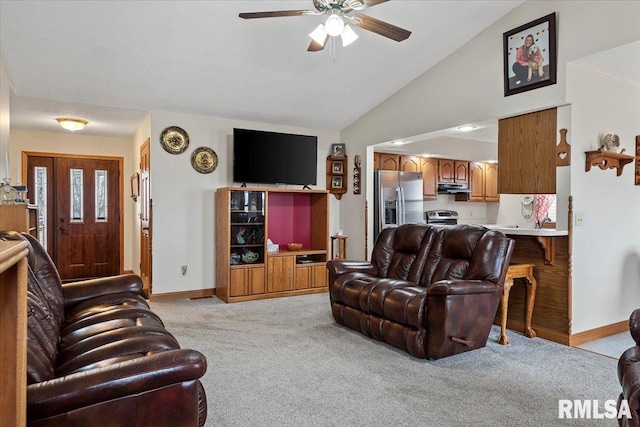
606,249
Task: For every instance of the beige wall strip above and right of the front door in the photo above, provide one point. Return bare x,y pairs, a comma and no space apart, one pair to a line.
76,143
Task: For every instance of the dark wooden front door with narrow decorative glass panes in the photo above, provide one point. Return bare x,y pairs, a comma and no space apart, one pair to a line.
83,212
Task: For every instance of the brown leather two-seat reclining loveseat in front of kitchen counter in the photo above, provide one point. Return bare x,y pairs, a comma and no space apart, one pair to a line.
430,291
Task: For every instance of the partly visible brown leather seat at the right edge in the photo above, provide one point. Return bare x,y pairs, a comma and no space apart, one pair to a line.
629,375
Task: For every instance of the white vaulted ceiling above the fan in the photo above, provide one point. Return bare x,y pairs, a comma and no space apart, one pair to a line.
110,62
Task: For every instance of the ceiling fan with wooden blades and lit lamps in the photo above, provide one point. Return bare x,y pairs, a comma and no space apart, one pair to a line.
339,11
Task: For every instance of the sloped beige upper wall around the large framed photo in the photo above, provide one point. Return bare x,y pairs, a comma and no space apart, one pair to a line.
449,94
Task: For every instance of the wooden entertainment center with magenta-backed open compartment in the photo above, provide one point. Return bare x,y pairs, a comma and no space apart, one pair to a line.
246,268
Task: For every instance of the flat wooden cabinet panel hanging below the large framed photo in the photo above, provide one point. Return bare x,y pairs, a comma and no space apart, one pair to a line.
527,153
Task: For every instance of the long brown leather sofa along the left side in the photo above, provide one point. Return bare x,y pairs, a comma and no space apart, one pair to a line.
98,355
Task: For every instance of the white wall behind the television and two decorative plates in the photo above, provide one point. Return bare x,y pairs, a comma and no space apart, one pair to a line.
184,200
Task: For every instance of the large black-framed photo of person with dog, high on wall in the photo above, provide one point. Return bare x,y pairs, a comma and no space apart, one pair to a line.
530,55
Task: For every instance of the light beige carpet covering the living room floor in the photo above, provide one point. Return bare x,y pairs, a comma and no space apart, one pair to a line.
285,362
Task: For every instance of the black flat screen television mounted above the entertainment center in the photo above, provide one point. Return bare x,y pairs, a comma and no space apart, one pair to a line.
261,157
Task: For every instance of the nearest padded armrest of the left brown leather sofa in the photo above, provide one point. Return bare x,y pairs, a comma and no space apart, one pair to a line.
82,389
